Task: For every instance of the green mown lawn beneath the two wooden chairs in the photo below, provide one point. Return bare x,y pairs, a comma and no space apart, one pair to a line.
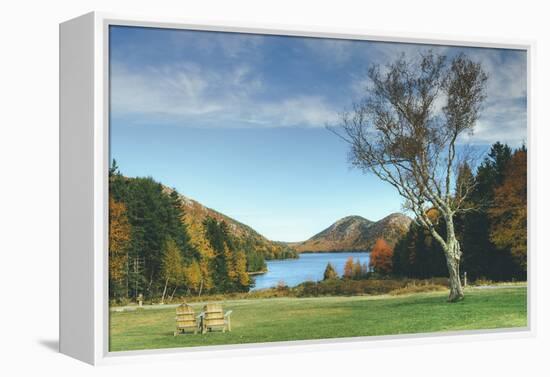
282,319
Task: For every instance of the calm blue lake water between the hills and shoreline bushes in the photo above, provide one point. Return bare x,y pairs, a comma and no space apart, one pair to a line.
307,267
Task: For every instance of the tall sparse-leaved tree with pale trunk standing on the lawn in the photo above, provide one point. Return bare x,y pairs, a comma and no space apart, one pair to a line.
405,131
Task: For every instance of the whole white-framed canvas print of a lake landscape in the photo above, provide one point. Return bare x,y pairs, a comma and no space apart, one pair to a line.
224,187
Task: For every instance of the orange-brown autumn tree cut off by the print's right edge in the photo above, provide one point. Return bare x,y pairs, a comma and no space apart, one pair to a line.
509,211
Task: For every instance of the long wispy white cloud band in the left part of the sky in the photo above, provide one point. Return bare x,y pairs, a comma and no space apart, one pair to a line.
229,98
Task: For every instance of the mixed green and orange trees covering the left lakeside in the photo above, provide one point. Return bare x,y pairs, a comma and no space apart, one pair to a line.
155,254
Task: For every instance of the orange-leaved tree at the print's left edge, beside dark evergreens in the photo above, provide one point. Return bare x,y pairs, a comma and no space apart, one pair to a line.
119,240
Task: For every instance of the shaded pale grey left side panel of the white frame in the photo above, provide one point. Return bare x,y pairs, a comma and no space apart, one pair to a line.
76,176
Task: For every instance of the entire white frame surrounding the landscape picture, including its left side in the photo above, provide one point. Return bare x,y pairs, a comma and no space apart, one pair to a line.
84,318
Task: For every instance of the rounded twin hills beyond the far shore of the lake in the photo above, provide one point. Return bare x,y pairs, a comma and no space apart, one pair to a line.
355,233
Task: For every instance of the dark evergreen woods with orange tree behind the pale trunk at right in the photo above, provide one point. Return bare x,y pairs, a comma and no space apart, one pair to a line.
492,235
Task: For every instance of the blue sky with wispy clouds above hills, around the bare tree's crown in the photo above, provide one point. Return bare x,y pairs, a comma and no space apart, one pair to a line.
237,121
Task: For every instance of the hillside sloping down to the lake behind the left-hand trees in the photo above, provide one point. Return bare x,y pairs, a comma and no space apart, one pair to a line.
196,213
